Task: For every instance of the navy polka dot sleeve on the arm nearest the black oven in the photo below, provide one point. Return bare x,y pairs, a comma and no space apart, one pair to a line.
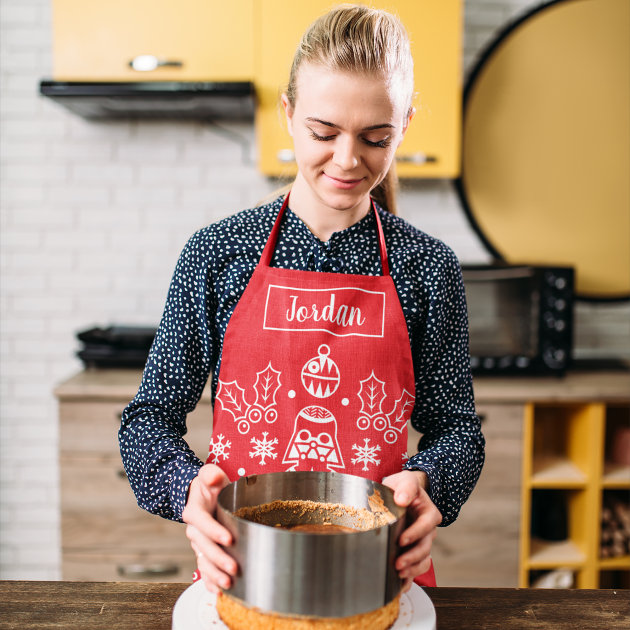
451,450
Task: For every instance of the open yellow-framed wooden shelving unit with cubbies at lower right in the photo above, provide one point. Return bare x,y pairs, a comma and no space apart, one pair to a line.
567,464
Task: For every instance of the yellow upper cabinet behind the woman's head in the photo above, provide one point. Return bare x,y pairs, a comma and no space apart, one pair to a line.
432,145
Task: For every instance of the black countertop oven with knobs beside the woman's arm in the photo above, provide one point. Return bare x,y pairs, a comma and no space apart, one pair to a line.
520,318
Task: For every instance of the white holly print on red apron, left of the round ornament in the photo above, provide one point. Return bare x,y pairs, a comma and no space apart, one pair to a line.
232,399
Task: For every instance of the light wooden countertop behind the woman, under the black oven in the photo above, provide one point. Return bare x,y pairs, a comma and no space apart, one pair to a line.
609,385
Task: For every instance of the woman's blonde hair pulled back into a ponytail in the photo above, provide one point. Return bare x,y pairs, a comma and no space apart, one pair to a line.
355,38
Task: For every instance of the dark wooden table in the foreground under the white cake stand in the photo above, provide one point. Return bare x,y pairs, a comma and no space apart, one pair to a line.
140,606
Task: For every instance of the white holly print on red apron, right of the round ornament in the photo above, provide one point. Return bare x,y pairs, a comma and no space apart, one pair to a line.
372,395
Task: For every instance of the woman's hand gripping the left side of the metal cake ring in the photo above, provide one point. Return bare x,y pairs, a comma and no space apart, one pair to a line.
205,533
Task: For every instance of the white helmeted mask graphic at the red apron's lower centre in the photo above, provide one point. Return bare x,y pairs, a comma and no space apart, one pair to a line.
314,441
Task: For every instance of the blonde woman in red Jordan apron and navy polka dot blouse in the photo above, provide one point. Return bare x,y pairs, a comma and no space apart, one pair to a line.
327,321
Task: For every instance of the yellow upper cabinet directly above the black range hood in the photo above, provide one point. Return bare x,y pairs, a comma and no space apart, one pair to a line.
197,40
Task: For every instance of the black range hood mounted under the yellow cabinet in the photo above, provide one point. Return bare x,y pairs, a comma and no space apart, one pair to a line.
174,100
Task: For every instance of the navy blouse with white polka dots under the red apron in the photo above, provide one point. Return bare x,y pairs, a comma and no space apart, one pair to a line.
211,275
